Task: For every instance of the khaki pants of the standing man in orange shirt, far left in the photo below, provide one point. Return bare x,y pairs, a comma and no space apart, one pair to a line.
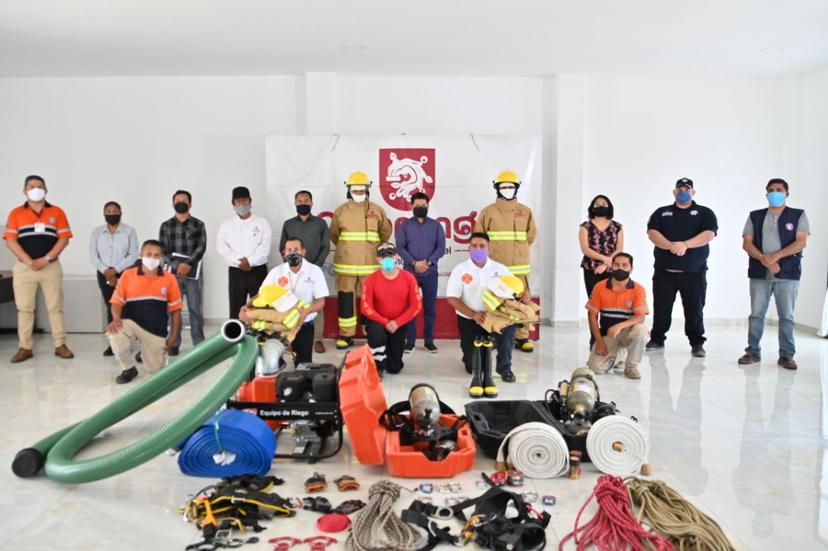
25,284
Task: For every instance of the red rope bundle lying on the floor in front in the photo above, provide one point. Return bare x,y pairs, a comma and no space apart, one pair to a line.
614,527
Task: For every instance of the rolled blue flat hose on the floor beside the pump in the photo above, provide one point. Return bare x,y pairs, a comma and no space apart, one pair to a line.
230,433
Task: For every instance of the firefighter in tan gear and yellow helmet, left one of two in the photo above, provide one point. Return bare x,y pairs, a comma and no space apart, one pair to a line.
357,228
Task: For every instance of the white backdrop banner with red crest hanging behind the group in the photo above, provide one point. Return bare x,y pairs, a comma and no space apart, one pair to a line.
455,171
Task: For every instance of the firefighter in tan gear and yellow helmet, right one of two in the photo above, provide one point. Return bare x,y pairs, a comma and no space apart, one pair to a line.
511,229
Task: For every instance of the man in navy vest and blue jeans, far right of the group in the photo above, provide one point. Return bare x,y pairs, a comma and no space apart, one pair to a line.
774,238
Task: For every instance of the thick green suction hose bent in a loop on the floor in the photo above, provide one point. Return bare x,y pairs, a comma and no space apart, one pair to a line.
57,450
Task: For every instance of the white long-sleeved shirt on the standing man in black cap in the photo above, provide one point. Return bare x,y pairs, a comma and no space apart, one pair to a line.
244,238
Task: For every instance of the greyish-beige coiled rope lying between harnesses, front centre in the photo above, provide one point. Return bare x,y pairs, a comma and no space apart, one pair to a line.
377,527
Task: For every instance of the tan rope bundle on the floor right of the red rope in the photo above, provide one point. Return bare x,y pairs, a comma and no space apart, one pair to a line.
670,514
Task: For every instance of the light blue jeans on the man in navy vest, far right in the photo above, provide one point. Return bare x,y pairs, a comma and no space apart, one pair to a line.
784,291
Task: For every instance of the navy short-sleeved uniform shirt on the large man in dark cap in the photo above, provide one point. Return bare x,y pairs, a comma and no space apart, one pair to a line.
677,224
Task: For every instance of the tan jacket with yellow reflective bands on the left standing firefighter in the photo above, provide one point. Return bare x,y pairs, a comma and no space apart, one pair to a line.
357,229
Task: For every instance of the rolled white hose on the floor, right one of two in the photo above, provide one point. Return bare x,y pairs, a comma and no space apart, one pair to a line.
617,445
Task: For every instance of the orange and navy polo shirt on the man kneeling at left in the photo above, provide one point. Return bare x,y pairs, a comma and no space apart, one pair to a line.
147,300
